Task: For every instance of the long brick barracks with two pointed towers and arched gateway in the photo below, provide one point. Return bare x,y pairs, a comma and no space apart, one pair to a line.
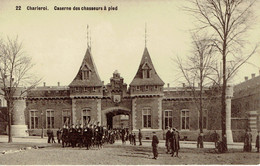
145,104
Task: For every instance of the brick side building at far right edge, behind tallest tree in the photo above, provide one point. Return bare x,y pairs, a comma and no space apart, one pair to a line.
246,108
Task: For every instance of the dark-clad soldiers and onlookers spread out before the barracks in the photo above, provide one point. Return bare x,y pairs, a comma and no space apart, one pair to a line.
91,136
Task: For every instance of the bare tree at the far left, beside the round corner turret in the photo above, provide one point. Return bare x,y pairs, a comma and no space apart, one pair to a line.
15,68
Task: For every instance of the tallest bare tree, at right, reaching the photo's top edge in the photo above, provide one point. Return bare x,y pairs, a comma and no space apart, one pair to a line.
228,20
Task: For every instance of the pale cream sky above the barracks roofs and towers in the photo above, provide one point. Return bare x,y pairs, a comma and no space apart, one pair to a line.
57,40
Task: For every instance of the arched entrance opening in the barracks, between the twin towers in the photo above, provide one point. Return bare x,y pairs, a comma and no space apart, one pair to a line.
110,113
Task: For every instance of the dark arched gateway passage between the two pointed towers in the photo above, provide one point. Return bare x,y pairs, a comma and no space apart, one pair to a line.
108,114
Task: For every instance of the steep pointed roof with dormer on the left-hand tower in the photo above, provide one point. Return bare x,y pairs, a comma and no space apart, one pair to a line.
89,64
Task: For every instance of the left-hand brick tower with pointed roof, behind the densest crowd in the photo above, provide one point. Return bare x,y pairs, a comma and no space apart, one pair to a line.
86,91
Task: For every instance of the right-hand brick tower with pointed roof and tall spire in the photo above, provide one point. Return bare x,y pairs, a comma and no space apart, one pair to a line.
146,91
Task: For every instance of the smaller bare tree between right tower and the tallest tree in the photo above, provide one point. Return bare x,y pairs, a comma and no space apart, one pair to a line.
201,67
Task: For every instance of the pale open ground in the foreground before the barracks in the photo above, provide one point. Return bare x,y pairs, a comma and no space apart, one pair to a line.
125,154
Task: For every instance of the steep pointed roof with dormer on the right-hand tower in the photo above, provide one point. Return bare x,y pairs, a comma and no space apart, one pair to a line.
154,79
